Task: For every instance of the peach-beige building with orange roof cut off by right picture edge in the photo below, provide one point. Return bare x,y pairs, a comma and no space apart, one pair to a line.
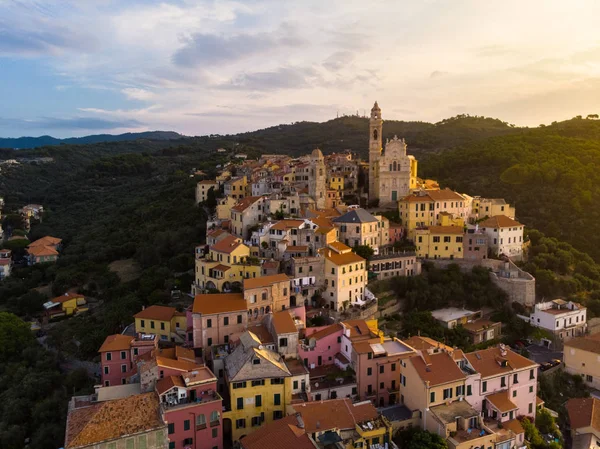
581,355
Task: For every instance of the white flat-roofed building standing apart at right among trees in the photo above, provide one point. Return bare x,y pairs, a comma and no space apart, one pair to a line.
561,318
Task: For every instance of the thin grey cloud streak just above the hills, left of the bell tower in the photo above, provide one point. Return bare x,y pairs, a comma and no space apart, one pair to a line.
281,78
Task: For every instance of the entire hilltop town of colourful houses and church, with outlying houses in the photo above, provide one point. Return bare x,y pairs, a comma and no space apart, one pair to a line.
288,339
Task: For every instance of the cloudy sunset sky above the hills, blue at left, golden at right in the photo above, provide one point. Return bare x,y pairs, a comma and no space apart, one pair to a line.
72,68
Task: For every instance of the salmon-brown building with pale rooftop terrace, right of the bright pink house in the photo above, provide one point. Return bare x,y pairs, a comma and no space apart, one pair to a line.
377,365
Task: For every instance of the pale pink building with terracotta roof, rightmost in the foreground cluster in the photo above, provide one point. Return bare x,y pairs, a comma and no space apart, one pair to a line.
504,385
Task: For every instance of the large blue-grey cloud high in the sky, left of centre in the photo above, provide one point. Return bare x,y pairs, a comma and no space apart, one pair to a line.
211,49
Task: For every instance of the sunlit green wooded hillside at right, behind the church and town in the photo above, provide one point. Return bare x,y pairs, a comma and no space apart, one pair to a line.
549,173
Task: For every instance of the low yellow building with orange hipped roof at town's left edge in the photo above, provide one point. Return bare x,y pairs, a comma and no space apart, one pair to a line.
165,322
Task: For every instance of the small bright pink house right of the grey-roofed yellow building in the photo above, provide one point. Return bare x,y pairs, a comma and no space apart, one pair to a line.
321,345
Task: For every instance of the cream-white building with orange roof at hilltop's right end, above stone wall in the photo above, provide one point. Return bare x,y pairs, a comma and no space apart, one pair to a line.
505,236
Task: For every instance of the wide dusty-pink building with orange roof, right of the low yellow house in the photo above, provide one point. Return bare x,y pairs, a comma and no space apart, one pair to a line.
215,318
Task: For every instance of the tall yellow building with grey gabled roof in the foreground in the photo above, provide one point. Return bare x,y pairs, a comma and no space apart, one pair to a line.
259,384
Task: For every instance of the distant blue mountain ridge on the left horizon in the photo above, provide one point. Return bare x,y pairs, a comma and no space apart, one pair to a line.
20,143
